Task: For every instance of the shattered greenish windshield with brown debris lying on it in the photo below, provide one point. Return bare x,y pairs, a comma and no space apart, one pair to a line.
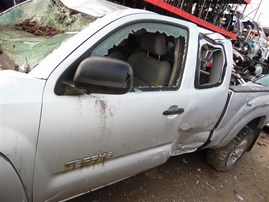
31,31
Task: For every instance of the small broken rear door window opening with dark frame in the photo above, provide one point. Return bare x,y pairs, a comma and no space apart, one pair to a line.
211,67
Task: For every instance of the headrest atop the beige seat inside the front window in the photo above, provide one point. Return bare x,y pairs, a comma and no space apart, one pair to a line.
154,43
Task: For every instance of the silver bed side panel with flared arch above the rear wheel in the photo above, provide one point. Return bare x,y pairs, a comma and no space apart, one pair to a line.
243,108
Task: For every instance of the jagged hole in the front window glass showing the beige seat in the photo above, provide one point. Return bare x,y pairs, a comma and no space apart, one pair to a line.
154,58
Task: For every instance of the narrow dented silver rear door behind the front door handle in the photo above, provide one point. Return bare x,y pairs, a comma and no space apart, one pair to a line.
209,96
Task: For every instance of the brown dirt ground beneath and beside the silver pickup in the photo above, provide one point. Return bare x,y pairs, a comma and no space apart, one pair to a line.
189,178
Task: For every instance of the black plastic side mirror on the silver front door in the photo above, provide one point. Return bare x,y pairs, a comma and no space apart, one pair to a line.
104,75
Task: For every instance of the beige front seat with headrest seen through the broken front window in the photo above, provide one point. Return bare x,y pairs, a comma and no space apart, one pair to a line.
148,68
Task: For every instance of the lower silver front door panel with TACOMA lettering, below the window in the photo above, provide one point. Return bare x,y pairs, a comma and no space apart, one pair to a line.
84,135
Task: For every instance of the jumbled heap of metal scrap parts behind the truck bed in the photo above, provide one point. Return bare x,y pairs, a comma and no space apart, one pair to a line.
251,53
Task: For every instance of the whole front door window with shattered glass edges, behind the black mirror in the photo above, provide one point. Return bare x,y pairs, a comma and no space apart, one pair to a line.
156,52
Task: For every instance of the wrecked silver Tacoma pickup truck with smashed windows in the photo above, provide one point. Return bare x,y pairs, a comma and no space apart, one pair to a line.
92,92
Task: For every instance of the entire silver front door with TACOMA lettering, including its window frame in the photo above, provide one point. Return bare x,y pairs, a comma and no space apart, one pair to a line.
89,140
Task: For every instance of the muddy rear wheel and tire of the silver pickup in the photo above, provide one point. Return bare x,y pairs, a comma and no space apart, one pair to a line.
226,158
